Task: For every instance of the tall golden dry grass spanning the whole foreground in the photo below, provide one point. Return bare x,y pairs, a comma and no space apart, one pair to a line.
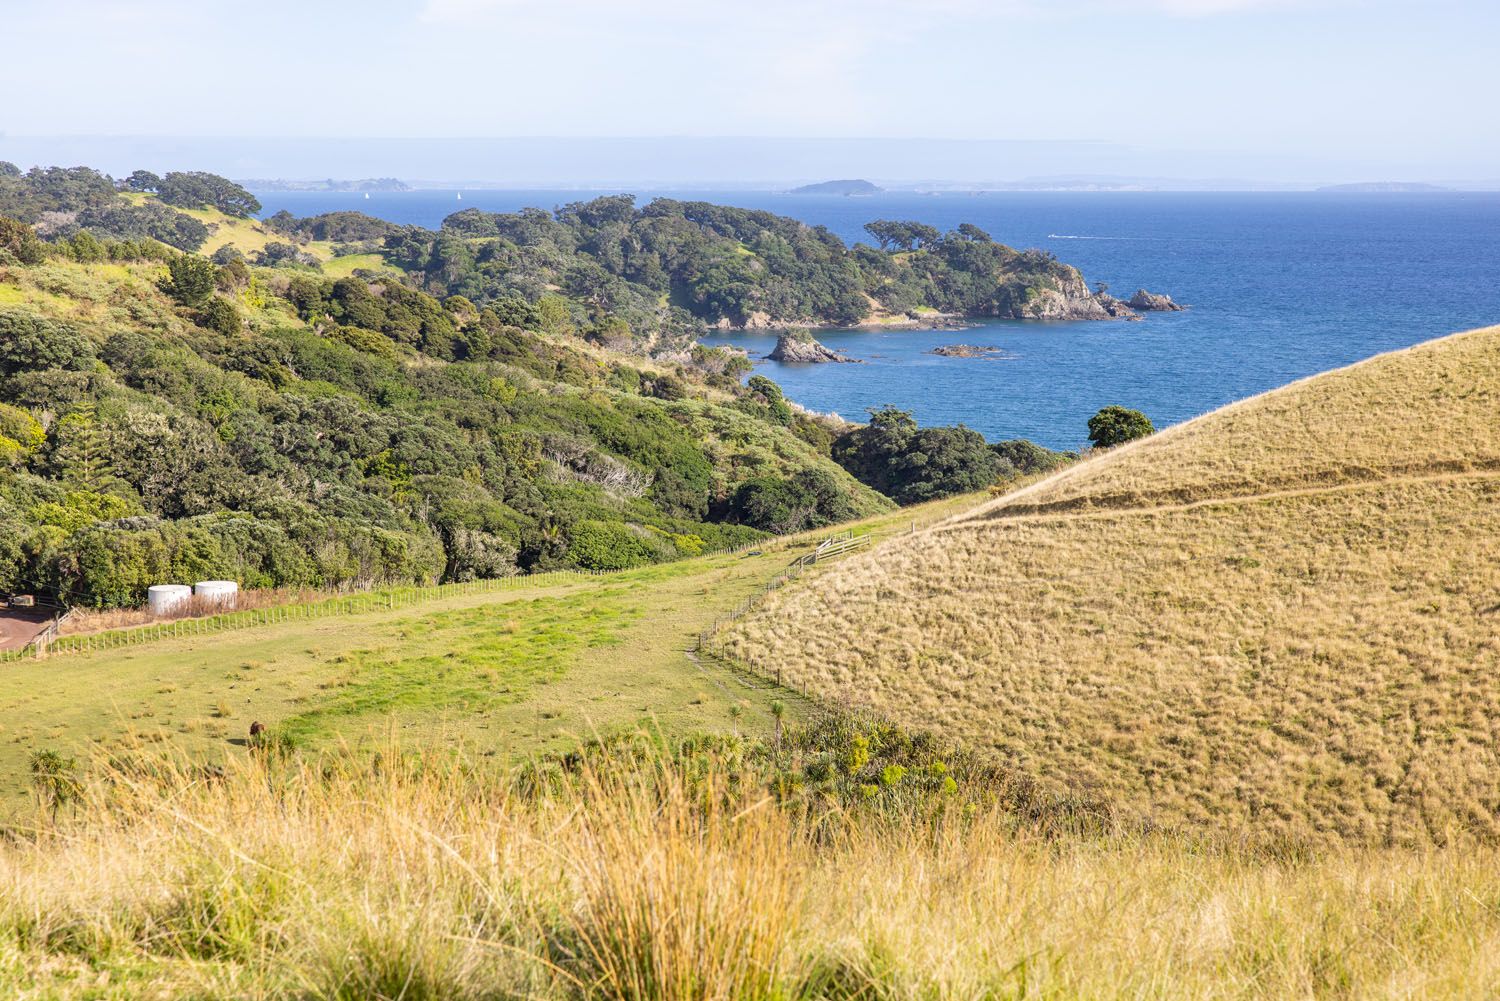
335,885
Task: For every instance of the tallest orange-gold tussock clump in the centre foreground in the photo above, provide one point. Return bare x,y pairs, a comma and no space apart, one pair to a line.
683,892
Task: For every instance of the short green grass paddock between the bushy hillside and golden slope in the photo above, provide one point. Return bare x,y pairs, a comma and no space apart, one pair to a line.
500,675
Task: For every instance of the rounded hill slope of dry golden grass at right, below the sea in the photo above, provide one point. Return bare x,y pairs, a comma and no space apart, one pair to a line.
1276,622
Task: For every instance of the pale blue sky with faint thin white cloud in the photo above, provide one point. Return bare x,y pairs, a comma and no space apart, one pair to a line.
1270,89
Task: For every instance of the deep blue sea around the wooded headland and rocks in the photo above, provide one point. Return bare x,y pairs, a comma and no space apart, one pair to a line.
1280,286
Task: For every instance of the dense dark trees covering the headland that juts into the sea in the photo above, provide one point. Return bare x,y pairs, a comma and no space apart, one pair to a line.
674,266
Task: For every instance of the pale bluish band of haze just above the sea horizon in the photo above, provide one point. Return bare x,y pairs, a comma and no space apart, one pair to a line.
730,161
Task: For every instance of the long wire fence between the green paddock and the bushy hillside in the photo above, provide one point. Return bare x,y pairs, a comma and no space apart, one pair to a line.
50,642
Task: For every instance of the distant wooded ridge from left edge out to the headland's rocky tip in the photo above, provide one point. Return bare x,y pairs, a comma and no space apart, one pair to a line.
647,277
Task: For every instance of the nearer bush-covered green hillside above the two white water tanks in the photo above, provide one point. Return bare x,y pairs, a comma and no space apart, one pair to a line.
343,433
